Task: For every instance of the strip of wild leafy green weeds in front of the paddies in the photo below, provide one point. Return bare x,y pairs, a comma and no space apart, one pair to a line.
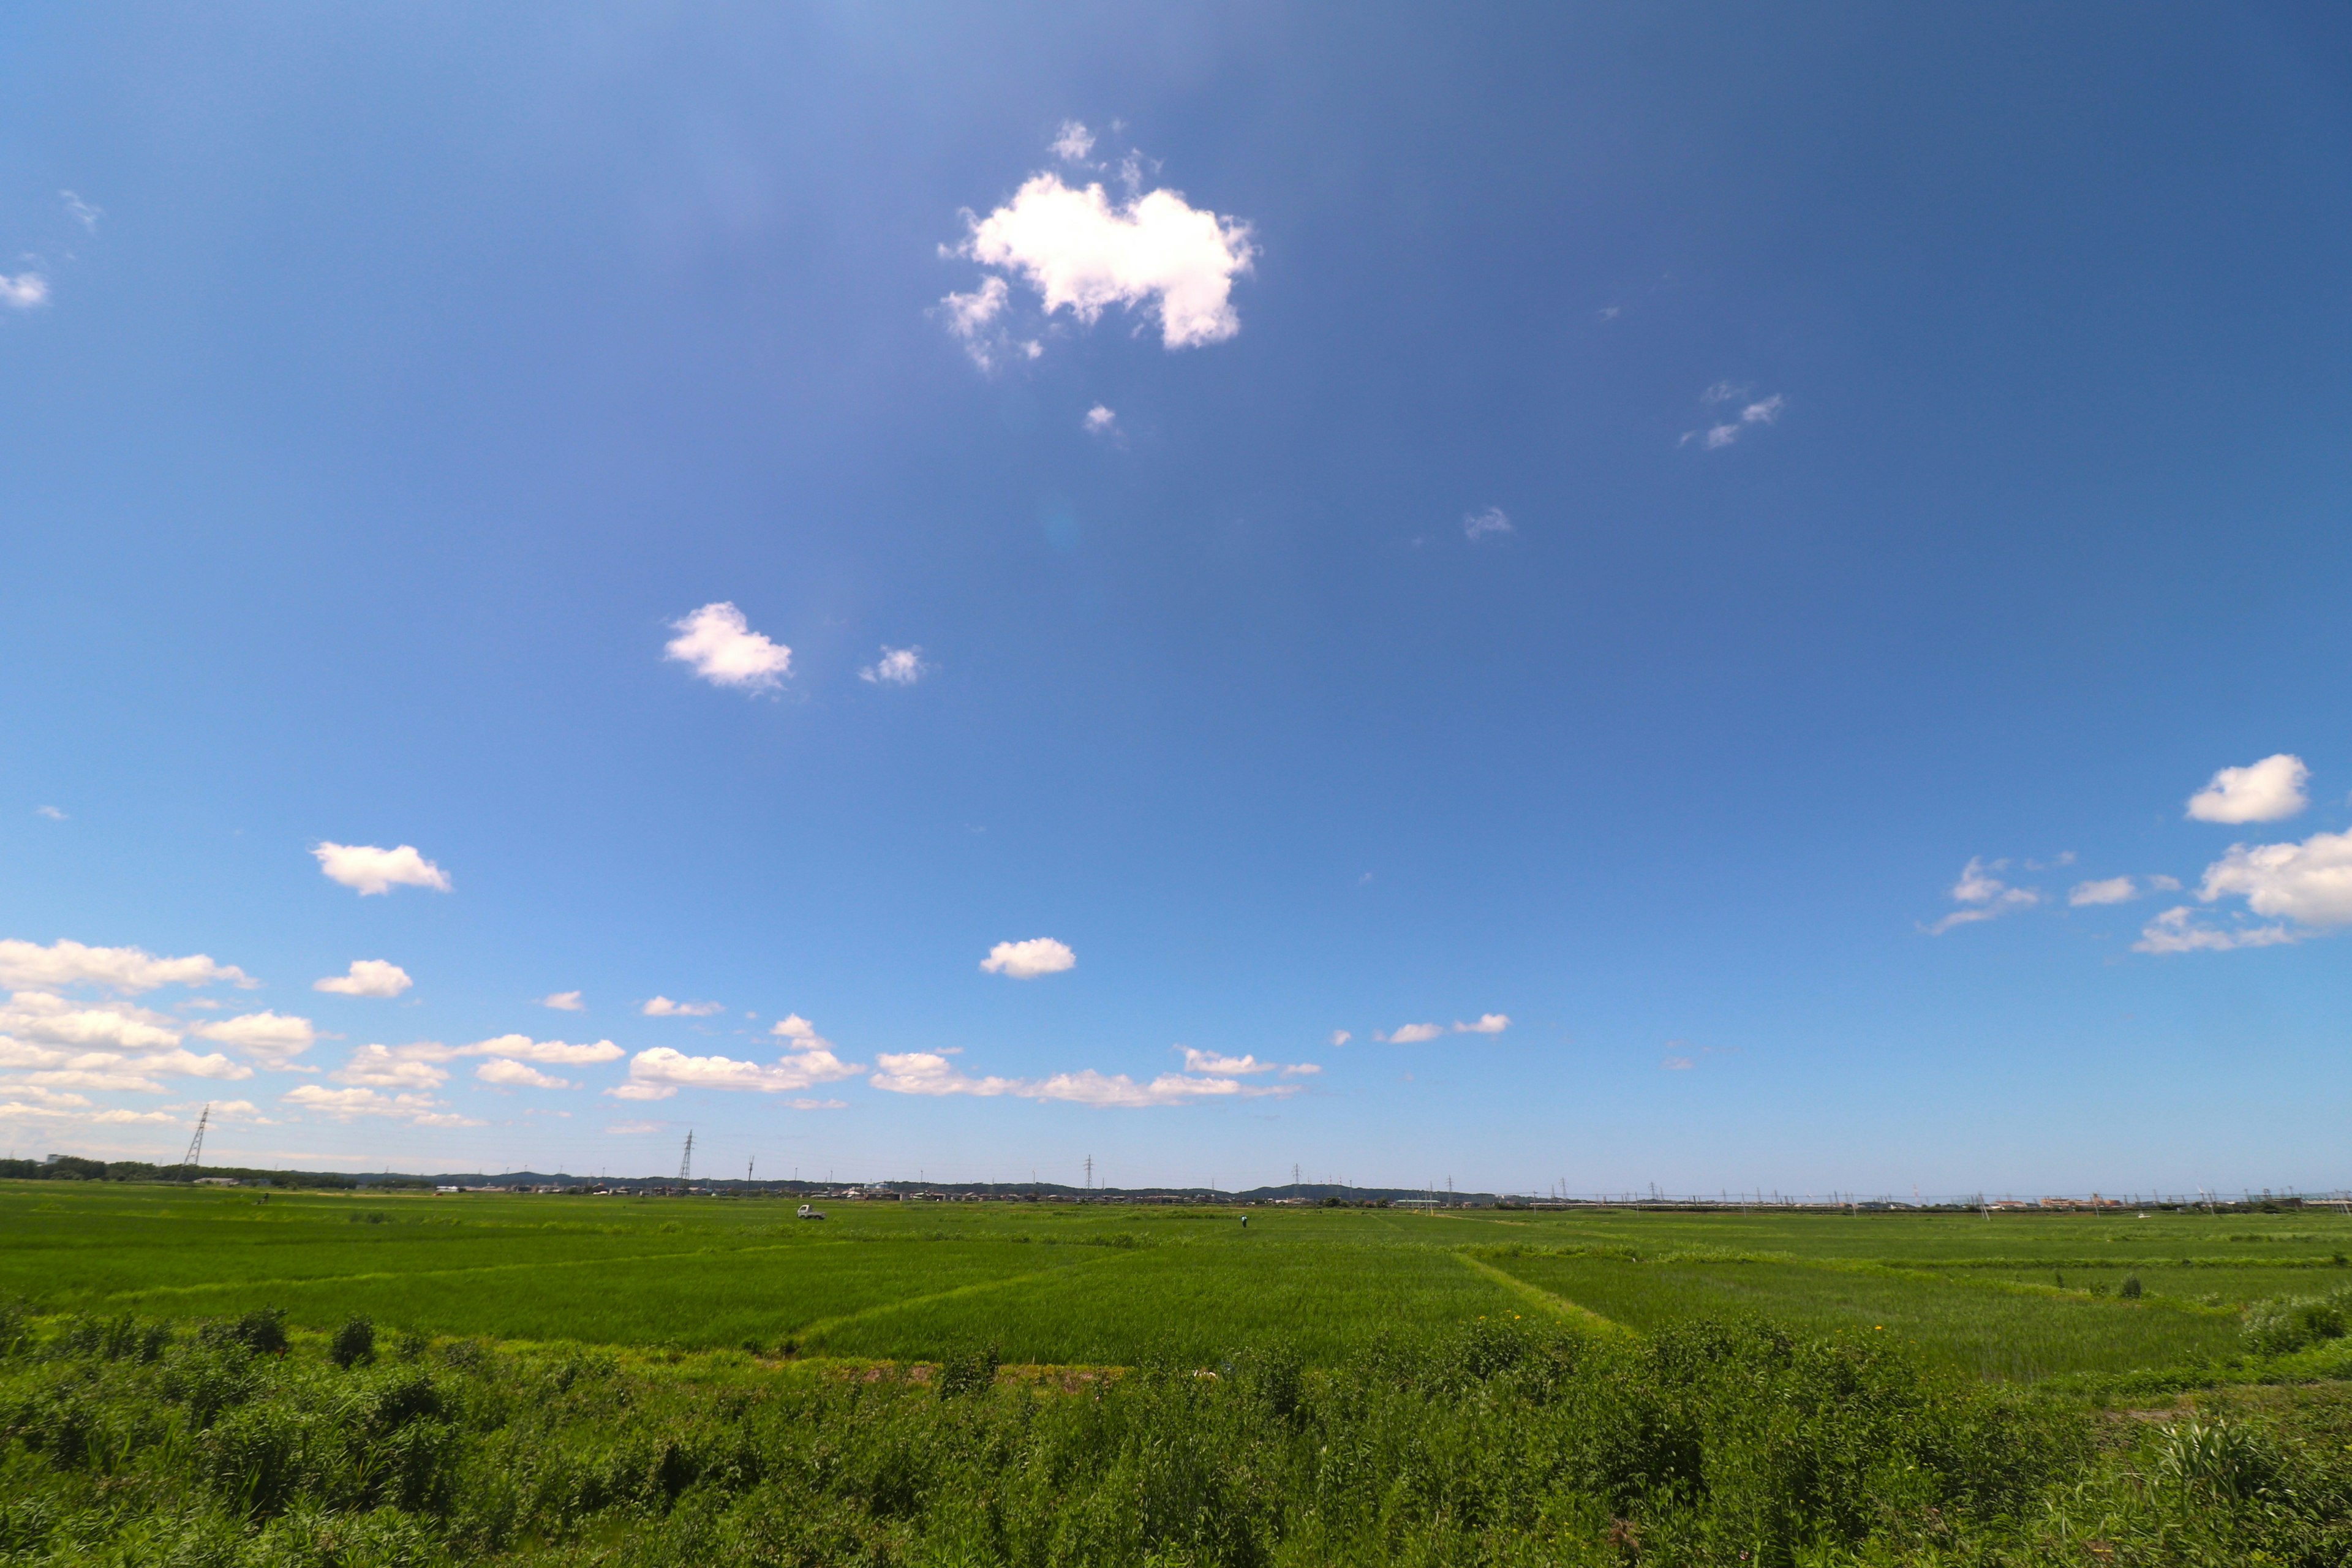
1725,1442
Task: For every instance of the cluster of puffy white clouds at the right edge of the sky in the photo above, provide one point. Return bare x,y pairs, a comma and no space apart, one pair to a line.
2292,890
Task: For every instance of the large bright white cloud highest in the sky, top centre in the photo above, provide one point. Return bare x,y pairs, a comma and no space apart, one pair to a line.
1081,253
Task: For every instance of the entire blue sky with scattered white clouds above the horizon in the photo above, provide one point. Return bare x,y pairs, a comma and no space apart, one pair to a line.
1067,558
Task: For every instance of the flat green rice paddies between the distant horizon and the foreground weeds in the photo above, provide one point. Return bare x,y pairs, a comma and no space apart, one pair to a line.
2012,1299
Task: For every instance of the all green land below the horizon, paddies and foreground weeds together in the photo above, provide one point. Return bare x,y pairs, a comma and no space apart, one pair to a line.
255,1379
